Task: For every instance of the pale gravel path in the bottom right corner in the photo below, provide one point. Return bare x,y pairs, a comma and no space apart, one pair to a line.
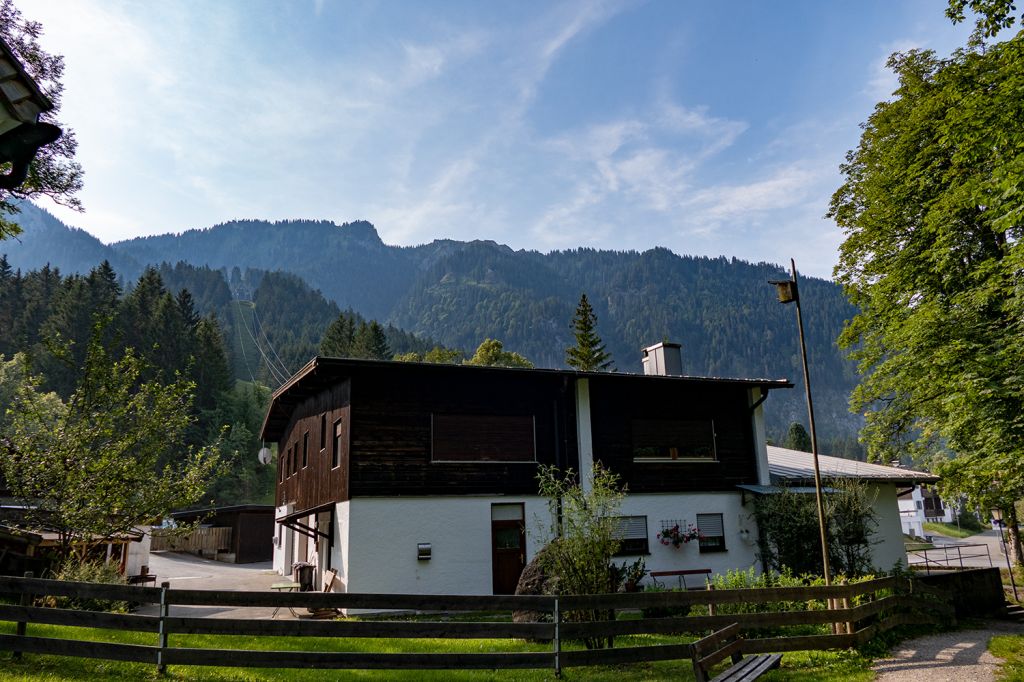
949,657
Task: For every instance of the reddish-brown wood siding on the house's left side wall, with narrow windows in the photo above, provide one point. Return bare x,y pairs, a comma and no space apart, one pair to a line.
318,483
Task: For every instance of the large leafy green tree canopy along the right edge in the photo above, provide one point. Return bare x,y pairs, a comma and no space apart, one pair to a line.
933,214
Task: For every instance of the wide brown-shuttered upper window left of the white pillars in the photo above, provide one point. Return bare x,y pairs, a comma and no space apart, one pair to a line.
483,439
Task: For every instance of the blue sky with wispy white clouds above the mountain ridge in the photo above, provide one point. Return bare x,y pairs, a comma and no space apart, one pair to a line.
711,129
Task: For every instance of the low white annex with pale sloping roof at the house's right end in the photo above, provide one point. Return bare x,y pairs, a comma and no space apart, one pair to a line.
888,485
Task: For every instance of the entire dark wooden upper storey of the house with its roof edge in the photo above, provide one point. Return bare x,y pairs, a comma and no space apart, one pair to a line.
413,430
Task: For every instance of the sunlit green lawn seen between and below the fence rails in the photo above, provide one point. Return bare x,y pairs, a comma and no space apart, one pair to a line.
842,666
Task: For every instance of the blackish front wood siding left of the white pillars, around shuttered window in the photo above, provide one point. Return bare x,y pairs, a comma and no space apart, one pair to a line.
392,443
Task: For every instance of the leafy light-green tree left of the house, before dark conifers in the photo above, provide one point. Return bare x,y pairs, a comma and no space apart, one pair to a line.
89,468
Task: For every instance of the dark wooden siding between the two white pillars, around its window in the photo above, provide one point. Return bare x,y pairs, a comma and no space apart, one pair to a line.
617,402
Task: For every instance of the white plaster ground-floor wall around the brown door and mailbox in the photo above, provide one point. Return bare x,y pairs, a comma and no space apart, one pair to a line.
383,533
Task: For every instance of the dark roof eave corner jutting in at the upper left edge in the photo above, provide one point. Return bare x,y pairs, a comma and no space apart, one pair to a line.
22,134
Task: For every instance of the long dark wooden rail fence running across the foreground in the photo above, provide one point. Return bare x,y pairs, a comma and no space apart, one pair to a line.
881,605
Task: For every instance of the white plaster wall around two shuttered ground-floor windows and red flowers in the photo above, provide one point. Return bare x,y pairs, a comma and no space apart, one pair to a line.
739,555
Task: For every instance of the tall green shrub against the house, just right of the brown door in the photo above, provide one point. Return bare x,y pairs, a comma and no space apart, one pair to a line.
586,536
